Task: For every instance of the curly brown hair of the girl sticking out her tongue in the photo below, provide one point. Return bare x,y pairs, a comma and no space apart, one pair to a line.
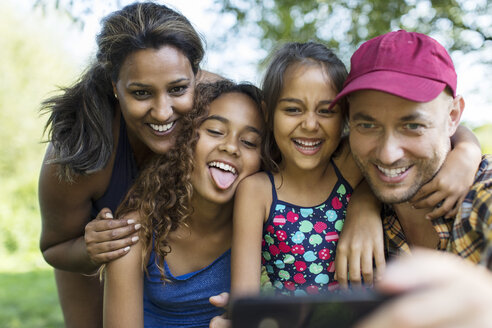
163,191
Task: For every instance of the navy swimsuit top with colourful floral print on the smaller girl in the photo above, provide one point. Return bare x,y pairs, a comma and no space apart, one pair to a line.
299,243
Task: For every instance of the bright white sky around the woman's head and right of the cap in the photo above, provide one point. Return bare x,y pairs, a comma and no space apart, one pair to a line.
238,61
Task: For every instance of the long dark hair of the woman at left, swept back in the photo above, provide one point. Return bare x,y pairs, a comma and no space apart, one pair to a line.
80,122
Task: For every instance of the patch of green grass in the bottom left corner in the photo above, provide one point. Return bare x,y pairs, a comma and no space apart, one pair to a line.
29,299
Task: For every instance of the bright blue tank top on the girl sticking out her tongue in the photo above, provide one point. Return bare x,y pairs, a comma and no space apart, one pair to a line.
183,301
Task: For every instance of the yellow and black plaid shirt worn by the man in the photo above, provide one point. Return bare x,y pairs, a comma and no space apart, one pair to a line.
468,235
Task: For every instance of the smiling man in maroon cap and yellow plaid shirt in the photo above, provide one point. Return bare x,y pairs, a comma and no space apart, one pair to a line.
403,109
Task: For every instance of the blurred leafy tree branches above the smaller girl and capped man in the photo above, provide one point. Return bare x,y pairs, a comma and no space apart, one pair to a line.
459,24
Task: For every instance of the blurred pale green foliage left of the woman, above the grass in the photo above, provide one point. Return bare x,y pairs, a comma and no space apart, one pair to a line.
32,62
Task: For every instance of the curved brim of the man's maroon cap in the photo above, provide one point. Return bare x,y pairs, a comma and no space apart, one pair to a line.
410,87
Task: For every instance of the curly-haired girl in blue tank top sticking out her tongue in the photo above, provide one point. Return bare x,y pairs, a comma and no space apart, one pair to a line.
184,202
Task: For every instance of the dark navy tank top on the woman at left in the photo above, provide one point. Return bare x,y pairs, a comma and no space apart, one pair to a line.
124,172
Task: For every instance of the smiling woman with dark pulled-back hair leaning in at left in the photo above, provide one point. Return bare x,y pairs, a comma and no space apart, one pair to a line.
126,107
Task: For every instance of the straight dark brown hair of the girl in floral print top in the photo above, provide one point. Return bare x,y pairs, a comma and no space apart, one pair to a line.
309,53
